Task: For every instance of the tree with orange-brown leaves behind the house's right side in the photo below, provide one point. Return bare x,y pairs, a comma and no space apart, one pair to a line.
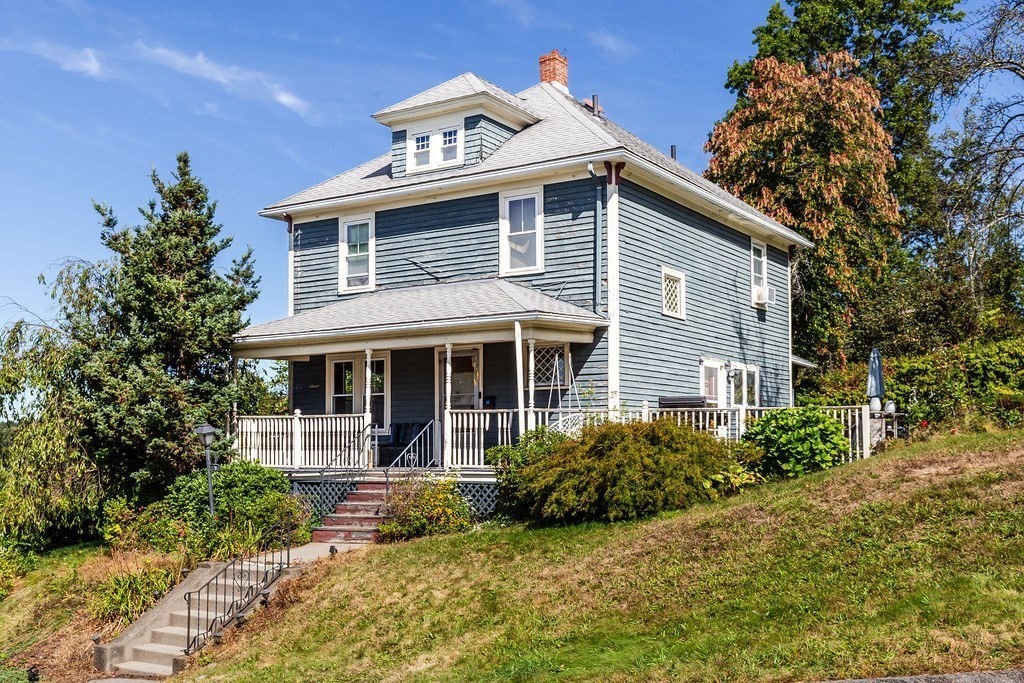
809,150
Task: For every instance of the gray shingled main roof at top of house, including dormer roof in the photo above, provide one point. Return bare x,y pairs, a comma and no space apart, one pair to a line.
566,130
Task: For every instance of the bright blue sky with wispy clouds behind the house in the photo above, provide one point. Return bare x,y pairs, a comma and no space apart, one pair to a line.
278,98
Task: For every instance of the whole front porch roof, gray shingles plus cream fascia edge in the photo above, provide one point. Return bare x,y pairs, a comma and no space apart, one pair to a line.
418,311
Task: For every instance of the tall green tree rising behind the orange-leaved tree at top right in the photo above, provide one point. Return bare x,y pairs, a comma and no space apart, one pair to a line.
899,48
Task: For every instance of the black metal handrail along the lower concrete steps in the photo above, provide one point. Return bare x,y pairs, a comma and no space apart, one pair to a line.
235,588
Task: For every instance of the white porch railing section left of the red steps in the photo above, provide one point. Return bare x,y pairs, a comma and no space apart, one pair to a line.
301,442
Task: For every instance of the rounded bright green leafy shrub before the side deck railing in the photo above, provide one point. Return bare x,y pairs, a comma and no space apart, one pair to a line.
797,441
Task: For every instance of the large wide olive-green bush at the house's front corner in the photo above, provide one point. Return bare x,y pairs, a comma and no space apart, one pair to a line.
624,472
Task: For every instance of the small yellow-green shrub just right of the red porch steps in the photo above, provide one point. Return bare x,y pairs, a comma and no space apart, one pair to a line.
424,506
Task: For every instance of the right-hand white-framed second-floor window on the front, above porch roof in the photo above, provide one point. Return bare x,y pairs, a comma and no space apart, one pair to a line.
522,232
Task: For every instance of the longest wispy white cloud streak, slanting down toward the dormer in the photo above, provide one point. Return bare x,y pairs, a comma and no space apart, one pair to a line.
232,78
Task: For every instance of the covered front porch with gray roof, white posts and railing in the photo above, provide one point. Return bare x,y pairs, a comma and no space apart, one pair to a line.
376,383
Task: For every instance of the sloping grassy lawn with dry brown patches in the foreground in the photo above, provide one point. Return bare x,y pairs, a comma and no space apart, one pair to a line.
910,563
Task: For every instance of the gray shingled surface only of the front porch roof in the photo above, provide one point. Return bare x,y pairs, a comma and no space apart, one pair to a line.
409,307
